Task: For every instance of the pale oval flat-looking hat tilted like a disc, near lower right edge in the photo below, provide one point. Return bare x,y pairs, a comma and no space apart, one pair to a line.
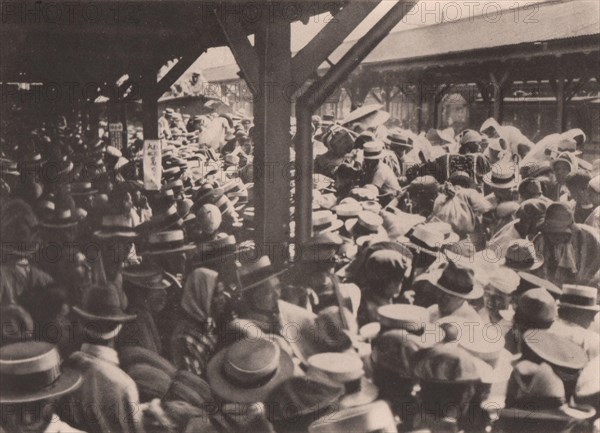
554,349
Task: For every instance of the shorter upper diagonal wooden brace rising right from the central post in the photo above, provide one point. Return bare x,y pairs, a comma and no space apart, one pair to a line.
308,59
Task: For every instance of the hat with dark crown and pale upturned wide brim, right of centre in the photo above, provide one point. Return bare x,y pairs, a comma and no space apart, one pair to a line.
454,279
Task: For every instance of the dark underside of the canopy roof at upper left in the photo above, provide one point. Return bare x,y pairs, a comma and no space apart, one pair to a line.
90,41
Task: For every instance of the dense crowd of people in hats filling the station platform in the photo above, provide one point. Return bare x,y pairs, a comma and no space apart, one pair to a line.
450,285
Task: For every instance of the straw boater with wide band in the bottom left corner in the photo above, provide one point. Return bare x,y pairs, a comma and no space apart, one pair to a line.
31,371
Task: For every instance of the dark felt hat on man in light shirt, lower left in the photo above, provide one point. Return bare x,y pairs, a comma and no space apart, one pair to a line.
102,303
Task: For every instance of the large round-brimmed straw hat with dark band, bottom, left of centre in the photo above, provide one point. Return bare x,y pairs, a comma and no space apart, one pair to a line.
248,370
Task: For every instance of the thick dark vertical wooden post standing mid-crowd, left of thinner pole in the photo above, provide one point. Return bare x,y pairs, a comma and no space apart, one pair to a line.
272,150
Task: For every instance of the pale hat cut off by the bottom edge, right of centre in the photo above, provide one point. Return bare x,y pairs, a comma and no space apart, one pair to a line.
376,416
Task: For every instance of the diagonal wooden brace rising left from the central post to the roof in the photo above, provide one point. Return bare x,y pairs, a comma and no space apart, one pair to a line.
242,50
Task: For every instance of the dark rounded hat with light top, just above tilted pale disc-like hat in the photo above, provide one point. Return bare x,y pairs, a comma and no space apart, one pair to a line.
536,308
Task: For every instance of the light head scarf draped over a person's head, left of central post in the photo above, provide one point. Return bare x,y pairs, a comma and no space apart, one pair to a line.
198,293
